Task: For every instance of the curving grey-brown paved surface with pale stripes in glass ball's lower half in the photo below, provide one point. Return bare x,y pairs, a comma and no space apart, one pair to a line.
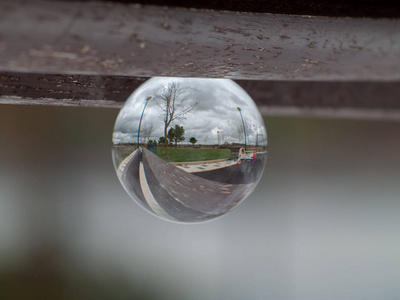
172,193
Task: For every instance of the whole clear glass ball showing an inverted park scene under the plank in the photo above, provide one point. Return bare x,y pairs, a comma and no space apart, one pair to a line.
189,149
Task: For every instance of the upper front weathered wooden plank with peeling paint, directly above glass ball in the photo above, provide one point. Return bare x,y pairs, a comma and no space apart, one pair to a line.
104,38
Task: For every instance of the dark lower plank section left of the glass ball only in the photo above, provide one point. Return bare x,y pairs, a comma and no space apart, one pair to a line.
61,89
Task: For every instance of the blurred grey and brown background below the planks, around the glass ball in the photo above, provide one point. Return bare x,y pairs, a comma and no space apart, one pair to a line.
322,224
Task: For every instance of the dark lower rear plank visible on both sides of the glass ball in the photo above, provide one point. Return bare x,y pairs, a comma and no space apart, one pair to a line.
351,99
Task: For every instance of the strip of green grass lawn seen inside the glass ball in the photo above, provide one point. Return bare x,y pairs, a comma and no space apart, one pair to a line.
192,154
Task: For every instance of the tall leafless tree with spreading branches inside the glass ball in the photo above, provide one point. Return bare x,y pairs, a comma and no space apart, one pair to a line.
175,102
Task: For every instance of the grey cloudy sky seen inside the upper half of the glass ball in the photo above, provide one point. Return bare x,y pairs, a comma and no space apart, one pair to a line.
214,118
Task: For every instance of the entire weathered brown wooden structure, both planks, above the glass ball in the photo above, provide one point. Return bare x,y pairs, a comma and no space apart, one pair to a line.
83,53
